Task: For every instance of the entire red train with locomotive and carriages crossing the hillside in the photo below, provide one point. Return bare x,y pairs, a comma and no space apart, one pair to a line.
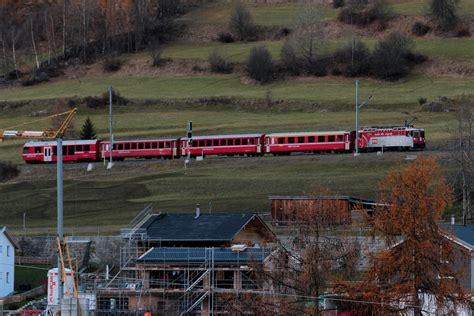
374,138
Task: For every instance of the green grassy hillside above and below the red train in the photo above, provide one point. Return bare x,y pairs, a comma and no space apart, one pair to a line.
112,198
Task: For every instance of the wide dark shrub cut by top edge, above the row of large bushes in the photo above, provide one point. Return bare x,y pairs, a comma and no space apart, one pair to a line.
365,12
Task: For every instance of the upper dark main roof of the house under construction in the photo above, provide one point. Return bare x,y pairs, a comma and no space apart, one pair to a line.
186,227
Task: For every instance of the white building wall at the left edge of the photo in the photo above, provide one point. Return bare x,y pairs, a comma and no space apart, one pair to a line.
7,262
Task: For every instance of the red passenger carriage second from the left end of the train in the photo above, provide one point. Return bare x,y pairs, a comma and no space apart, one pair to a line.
150,148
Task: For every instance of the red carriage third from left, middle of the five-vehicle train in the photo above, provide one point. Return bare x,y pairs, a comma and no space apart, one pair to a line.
243,144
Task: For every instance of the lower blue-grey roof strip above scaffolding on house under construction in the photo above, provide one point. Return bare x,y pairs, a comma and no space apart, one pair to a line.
198,255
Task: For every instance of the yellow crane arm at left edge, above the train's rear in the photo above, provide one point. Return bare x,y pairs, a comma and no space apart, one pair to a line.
9,133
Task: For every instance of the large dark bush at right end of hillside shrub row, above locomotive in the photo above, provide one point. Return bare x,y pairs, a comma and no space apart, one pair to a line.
389,58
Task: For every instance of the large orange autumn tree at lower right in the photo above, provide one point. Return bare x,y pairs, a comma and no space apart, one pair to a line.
417,263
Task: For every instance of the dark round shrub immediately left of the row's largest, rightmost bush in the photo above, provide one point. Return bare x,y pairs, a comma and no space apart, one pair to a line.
354,58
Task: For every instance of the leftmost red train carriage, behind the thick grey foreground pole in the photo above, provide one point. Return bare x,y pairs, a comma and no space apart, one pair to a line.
73,150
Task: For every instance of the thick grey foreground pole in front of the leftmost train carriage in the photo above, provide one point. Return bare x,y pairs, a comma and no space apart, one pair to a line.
59,167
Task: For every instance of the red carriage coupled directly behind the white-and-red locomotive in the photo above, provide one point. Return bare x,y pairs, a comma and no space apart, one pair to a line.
286,143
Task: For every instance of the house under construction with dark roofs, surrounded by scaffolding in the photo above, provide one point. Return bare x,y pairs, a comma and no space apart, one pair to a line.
186,264
